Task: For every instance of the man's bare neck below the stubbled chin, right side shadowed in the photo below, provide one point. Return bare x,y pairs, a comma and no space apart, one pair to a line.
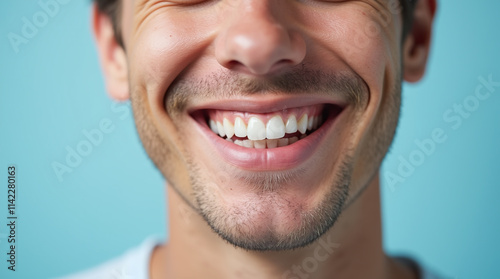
351,249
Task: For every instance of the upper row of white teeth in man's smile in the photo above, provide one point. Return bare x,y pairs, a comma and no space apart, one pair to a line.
275,128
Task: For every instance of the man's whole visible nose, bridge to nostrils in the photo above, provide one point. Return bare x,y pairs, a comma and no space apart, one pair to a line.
254,39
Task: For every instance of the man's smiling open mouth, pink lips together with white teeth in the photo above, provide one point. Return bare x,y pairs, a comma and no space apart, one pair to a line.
271,136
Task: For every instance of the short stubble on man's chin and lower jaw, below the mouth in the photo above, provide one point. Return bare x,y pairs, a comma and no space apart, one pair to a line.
240,224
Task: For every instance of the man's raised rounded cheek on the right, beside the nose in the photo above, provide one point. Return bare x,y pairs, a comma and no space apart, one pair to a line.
355,36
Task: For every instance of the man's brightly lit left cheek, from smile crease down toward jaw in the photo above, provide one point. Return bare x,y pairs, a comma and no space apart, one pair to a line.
158,50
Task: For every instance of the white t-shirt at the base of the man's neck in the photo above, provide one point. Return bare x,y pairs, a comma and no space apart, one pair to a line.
134,264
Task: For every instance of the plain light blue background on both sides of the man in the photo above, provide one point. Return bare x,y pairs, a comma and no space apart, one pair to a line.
445,214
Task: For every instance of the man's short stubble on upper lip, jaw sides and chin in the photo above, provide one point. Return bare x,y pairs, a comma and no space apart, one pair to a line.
235,224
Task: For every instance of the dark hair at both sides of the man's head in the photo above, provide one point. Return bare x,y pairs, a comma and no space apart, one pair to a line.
112,9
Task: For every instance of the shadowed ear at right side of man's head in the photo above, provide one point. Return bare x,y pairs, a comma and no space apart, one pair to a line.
417,43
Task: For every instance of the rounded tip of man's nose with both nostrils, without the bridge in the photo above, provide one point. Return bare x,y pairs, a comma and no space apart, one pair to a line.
257,44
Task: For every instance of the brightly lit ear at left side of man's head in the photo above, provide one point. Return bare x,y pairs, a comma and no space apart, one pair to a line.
112,56
